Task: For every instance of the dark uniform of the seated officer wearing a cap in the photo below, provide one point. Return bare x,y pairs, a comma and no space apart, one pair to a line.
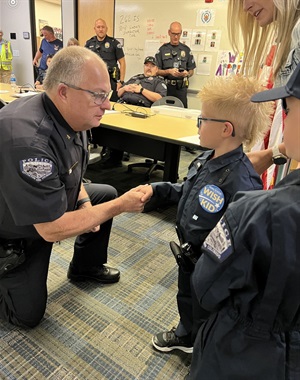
155,84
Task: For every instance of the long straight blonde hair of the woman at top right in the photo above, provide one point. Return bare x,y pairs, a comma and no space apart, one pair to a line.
257,40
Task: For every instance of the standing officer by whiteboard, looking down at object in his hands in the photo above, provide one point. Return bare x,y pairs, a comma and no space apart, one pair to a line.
176,64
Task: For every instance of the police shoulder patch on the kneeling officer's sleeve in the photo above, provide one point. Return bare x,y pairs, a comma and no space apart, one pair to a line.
37,168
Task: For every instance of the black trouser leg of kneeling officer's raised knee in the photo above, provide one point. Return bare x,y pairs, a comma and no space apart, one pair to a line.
90,249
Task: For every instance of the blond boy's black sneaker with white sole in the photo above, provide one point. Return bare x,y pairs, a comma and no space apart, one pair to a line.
167,341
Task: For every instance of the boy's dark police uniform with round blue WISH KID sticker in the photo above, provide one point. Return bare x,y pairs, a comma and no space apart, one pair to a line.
202,199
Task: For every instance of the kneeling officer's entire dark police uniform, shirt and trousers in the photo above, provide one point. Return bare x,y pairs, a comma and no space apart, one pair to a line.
43,160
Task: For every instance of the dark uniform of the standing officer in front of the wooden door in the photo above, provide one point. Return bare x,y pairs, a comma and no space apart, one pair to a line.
110,50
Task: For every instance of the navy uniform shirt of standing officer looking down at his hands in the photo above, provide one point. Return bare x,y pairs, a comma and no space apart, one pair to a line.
179,56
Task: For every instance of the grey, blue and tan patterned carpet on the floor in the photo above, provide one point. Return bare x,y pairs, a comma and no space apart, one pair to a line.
104,332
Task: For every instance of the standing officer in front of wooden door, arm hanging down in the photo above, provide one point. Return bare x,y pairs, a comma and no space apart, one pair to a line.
111,51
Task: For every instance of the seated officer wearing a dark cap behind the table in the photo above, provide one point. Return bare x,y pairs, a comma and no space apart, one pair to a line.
144,89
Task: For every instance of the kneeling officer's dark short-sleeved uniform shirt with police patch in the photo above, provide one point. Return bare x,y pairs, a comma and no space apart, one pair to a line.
42,161
